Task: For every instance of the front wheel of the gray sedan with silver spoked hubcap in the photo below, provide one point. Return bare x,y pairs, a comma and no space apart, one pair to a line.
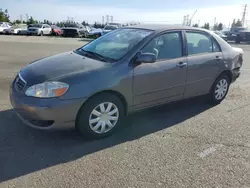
96,129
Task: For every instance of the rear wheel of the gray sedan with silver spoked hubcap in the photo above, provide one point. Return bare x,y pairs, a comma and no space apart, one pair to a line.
221,84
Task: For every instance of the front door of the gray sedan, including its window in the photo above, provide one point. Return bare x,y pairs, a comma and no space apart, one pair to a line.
164,80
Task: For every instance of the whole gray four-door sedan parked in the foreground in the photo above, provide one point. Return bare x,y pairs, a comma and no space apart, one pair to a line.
129,69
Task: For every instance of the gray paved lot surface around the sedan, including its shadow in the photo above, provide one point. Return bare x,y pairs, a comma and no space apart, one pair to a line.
187,144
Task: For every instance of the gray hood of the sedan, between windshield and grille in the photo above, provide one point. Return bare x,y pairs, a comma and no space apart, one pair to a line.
58,66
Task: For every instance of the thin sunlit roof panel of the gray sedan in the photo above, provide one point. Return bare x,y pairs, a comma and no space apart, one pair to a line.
159,27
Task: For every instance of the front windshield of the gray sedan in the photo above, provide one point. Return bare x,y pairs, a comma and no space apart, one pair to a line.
116,44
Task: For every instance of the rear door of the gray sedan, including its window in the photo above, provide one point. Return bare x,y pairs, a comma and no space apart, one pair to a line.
204,59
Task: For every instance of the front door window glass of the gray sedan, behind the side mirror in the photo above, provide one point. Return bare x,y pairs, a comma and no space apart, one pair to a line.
166,46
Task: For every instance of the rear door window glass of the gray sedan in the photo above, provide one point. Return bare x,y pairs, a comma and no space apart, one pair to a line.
198,43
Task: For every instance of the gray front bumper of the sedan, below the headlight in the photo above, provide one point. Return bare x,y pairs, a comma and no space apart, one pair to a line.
46,114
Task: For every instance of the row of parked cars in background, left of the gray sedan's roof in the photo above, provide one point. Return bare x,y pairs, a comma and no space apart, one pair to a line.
69,30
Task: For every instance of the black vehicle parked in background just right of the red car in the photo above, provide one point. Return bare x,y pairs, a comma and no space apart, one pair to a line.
74,30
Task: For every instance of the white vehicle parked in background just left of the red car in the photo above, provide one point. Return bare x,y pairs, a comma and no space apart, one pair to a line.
39,29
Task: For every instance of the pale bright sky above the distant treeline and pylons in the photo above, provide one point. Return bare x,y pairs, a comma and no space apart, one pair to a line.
153,11
